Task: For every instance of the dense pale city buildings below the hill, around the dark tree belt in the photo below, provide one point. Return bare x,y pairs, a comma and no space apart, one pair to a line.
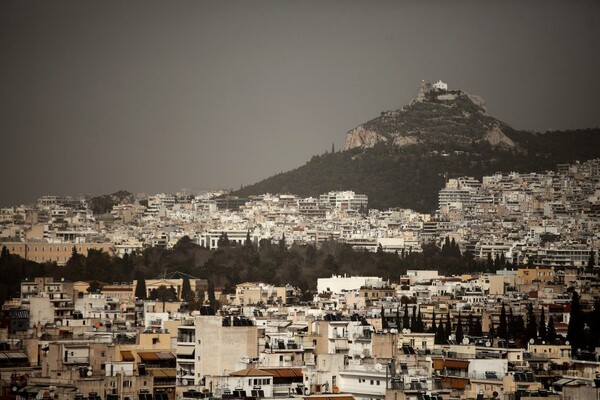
522,325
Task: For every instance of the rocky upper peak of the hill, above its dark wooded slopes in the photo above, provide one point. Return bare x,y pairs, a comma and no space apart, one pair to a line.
435,116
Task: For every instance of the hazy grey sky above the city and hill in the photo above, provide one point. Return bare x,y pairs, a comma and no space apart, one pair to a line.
97,96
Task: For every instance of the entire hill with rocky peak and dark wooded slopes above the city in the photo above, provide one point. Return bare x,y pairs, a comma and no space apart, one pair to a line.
401,158
